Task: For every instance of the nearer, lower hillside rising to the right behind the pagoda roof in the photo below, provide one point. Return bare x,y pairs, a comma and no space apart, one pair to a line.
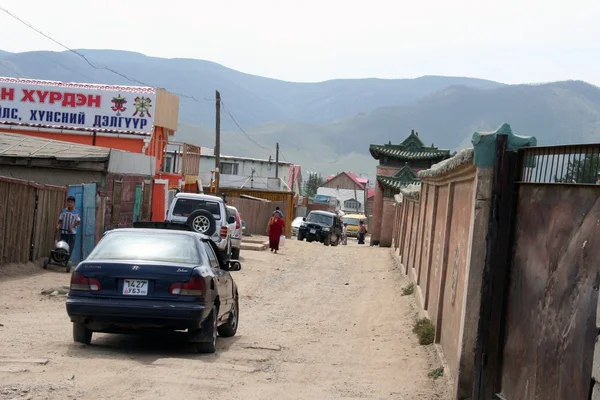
560,112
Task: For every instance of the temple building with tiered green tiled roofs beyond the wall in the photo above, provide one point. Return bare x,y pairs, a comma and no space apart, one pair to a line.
398,167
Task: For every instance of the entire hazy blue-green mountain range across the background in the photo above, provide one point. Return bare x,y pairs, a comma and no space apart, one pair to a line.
327,126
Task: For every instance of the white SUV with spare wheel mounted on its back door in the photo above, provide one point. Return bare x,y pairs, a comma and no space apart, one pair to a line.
204,214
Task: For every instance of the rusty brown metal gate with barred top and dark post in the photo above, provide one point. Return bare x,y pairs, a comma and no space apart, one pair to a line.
540,291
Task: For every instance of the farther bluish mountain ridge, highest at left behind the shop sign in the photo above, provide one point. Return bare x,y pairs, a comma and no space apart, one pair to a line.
251,99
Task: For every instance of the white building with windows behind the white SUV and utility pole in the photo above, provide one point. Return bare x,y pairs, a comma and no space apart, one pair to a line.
264,173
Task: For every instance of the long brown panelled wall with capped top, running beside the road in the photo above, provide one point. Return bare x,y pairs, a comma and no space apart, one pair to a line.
438,234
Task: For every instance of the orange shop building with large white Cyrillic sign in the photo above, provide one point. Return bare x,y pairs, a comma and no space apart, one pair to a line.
129,118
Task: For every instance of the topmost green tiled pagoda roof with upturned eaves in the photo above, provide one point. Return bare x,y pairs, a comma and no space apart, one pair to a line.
412,148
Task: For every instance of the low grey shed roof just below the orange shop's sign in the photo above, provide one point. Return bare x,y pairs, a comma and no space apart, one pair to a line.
18,145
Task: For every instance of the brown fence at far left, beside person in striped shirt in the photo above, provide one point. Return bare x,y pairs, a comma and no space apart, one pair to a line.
28,216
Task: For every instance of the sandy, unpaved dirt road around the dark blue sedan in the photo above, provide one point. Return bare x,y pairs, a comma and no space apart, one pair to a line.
316,323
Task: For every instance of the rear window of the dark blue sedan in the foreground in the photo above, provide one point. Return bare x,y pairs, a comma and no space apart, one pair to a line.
147,246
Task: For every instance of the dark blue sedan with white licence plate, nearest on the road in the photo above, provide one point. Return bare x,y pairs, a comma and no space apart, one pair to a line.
157,277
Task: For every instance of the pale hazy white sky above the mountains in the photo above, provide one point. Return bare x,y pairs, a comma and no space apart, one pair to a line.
510,40
